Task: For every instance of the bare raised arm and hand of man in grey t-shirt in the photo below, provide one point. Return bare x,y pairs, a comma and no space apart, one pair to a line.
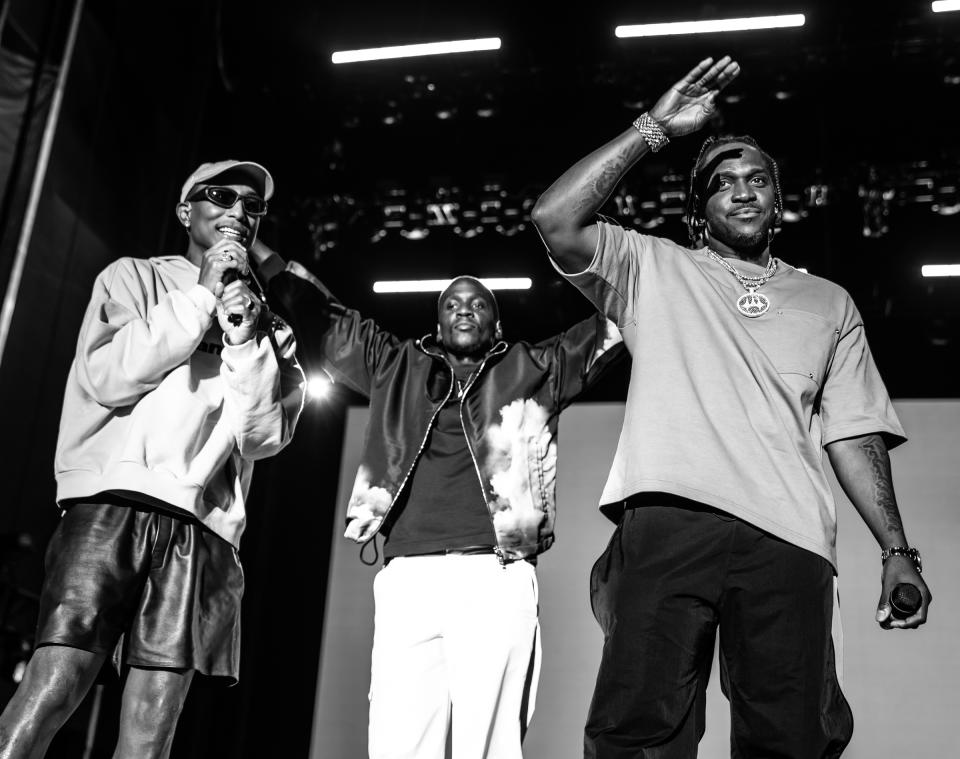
564,213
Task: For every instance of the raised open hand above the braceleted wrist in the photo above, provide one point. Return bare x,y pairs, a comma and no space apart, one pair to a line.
692,101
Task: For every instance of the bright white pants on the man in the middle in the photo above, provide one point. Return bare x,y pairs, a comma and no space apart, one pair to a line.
456,643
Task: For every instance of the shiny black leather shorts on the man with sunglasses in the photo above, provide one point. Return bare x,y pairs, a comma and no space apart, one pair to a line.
145,587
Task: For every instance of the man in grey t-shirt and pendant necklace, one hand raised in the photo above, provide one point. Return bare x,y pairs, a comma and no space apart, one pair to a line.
744,368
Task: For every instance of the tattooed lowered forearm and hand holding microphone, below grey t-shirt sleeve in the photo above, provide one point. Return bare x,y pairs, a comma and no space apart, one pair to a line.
862,466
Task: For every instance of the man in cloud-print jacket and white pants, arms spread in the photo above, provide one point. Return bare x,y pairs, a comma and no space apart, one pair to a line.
457,474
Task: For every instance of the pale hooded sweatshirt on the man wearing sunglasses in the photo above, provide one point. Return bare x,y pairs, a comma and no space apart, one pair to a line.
158,408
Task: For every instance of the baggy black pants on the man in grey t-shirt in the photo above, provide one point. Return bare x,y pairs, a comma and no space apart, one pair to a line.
670,575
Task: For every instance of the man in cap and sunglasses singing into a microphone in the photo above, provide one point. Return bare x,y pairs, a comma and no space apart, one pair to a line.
181,380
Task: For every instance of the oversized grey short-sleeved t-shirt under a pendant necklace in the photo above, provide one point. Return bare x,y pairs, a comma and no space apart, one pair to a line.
727,410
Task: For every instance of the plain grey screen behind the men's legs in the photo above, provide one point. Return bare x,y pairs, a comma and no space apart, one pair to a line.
901,685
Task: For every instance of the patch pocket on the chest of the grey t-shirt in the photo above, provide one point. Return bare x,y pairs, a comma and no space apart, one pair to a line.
799,343
